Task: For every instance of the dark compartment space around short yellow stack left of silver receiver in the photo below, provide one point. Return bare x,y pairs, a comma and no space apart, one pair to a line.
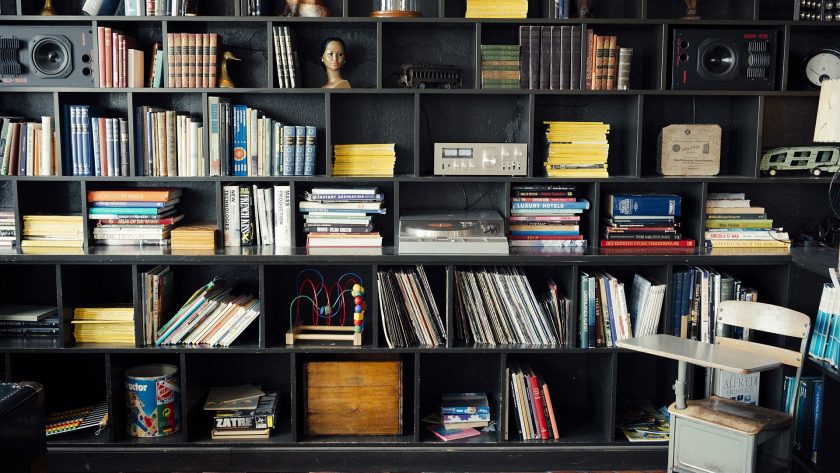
374,119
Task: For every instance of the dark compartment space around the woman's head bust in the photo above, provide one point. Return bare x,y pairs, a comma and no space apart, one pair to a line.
360,53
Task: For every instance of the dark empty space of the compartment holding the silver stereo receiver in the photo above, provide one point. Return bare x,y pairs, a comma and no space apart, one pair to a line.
503,119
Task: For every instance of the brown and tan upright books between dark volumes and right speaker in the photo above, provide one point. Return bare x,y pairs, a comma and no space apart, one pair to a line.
607,64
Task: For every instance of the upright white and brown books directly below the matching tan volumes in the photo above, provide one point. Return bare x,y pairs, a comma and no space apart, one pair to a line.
170,143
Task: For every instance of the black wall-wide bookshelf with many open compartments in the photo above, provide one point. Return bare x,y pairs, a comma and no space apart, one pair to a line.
590,383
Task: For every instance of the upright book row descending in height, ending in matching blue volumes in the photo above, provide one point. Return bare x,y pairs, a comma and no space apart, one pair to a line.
245,142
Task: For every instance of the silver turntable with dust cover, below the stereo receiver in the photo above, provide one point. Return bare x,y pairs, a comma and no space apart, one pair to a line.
457,232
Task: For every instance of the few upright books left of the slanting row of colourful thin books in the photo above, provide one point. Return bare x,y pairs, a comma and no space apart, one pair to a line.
156,286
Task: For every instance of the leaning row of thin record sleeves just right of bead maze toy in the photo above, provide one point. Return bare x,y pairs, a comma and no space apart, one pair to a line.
409,312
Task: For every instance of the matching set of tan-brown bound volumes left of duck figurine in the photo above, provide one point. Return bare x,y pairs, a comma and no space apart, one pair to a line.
191,59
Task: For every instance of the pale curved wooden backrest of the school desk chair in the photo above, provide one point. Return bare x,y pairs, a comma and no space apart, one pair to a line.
767,318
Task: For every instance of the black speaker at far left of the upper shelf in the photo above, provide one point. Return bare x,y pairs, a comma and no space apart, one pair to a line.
46,56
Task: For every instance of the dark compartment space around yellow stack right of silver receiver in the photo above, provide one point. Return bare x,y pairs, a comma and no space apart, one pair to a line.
621,112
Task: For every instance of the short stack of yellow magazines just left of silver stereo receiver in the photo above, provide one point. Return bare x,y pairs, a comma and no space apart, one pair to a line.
365,160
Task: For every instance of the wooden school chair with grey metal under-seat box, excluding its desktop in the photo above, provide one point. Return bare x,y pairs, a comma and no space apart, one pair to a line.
718,435
